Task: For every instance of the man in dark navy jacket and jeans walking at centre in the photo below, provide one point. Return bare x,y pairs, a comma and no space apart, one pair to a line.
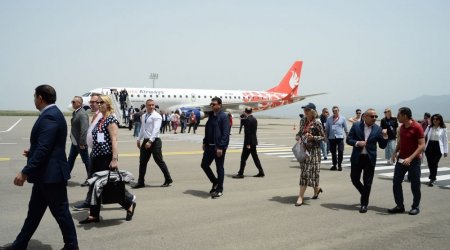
215,143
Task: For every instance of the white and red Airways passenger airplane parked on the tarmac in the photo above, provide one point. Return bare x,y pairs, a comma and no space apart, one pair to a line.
198,100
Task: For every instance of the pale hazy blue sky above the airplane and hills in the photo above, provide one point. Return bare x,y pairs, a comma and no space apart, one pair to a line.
361,53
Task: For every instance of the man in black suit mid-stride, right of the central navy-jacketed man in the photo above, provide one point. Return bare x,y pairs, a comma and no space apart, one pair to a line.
250,142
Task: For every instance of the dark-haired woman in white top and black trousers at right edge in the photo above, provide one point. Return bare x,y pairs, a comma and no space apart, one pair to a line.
436,145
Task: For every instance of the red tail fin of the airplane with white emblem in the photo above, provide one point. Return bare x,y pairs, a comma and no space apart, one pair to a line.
290,82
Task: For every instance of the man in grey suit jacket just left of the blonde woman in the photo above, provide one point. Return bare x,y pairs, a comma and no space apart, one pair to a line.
78,133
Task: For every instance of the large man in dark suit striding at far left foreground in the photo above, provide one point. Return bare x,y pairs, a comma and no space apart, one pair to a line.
48,170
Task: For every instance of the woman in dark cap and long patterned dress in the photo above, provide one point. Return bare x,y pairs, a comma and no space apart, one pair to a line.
310,133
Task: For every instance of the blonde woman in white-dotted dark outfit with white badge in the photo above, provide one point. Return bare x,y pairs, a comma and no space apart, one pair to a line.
104,156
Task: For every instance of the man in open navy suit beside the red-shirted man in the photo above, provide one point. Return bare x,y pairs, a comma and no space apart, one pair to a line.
364,136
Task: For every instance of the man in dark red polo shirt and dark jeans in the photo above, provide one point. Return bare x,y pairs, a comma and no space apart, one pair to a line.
407,155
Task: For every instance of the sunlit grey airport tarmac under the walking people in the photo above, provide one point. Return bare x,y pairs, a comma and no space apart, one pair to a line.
254,213
